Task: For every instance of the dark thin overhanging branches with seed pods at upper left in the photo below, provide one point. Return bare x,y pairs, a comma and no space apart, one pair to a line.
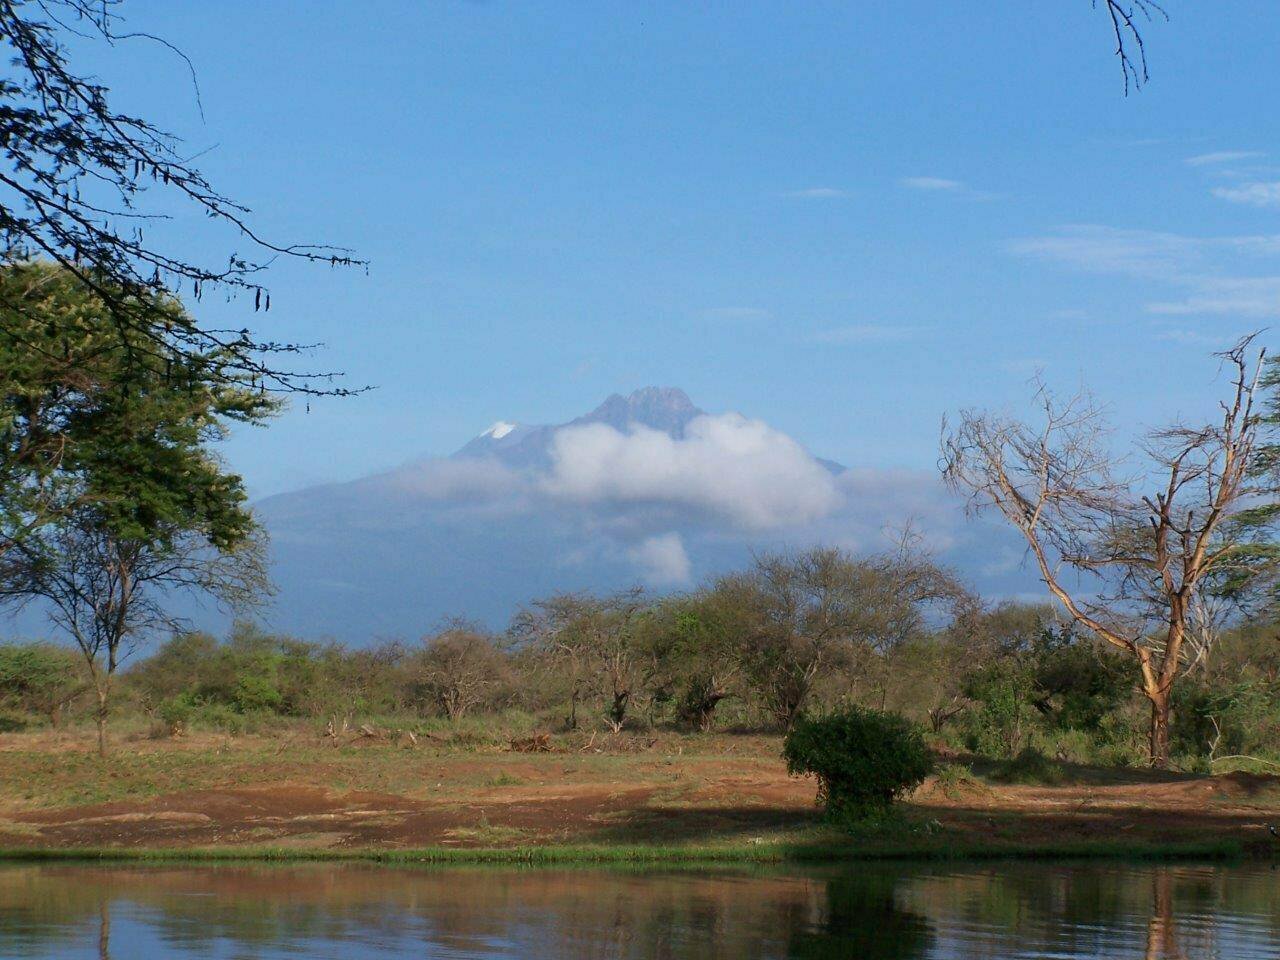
75,176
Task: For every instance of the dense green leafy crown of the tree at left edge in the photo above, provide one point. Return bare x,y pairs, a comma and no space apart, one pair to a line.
94,420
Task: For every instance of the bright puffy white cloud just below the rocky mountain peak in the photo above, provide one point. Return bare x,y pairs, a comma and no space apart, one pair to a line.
742,469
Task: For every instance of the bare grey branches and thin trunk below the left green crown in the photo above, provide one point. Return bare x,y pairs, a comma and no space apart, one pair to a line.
109,593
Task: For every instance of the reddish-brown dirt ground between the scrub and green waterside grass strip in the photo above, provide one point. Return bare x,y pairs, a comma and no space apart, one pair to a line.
257,792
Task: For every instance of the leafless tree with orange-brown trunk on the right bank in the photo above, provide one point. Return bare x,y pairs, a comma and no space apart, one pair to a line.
1142,546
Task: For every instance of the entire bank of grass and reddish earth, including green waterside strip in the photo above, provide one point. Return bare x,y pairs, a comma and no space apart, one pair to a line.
707,799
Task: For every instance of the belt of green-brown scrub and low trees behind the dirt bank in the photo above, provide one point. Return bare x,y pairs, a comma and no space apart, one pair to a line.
751,652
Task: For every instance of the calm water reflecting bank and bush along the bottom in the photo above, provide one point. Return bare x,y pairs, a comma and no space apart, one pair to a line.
327,911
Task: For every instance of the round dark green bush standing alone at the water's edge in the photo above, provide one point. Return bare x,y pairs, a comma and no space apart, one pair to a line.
863,760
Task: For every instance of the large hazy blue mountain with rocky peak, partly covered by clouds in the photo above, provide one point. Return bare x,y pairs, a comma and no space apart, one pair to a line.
644,490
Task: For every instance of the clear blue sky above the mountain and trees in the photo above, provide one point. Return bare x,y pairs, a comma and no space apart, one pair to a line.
845,220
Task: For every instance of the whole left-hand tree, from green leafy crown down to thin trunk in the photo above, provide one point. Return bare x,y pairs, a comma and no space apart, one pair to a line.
135,506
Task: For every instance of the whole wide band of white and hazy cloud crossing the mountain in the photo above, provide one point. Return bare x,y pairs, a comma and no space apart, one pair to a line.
659,506
